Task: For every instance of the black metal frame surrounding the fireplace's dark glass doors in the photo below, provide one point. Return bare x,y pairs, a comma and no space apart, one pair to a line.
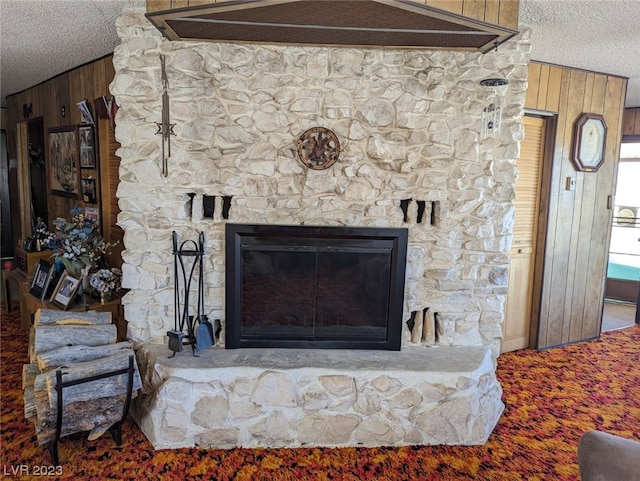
241,238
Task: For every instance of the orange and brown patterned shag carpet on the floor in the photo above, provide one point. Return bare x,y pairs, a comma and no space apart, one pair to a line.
551,399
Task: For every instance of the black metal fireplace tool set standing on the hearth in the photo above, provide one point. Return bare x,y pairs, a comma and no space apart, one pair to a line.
188,270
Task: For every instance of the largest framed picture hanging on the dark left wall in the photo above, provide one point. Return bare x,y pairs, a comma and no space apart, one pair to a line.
64,168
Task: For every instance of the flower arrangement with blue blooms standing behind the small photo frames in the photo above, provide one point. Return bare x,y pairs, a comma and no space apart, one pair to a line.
77,245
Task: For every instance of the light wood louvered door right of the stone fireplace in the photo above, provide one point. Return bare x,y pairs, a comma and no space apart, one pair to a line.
515,329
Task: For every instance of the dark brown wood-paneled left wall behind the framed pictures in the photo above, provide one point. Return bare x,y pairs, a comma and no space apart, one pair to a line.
55,101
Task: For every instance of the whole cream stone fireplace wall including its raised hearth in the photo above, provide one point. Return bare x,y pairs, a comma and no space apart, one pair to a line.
411,157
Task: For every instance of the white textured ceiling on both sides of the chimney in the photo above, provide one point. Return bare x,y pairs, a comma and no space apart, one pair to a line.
40,39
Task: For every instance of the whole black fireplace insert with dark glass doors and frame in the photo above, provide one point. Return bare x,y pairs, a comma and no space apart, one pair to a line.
314,287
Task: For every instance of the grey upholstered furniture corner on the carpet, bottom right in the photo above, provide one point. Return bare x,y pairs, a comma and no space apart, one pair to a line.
605,457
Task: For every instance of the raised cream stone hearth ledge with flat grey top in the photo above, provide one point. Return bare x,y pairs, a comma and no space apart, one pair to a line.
290,397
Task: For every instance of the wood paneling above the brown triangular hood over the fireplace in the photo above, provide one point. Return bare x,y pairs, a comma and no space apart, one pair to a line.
497,12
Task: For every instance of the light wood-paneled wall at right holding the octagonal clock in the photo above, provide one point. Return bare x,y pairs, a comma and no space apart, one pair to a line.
576,224
